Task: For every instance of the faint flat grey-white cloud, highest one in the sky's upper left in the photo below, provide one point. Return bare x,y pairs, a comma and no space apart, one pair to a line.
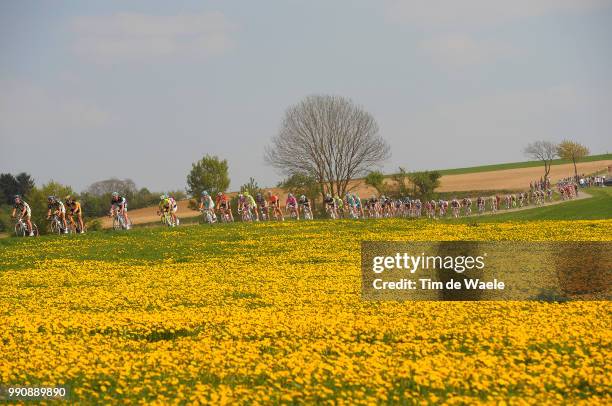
132,36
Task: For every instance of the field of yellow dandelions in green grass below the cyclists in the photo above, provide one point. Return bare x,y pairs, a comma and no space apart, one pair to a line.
273,313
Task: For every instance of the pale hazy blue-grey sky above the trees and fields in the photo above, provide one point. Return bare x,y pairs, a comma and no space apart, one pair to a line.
141,89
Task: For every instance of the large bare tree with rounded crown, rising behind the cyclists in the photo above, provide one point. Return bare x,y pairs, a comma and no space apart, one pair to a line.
328,138
